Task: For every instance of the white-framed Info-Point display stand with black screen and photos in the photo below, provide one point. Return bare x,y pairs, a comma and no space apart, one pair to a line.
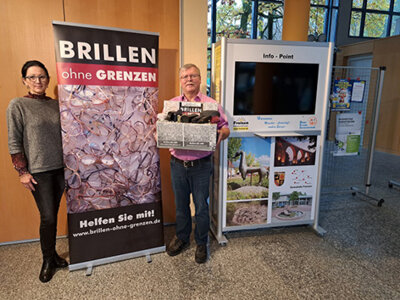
267,173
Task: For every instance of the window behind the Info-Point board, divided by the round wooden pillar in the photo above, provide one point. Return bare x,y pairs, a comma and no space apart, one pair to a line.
262,19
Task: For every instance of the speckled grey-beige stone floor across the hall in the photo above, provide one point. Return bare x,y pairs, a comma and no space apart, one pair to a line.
358,258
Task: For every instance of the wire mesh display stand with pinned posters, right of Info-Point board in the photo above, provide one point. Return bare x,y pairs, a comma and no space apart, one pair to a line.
350,169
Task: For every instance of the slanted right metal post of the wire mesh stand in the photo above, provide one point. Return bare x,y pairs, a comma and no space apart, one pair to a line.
372,141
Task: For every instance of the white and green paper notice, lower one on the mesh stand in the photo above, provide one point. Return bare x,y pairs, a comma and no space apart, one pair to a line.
348,134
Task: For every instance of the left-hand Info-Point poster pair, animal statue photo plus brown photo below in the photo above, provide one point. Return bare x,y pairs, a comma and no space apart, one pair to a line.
247,181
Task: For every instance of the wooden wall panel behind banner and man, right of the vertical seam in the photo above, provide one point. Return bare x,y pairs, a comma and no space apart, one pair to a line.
160,16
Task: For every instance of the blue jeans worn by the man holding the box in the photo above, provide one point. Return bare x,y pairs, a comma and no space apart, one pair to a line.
193,180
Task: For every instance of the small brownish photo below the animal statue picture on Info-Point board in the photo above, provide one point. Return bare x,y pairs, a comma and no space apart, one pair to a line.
246,213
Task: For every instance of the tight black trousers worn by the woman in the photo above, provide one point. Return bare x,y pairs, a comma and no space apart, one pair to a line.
47,194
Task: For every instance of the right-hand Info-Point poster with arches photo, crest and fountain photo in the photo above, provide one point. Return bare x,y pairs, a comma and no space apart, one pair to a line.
293,179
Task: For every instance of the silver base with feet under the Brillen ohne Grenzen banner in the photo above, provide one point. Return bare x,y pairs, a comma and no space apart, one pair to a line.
88,265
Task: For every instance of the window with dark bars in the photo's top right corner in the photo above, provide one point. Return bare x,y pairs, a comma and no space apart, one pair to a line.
375,18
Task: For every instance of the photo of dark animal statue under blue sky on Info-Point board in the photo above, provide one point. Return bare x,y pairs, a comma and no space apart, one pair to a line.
248,168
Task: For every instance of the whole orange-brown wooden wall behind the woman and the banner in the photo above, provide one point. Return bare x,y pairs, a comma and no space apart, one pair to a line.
26,36
